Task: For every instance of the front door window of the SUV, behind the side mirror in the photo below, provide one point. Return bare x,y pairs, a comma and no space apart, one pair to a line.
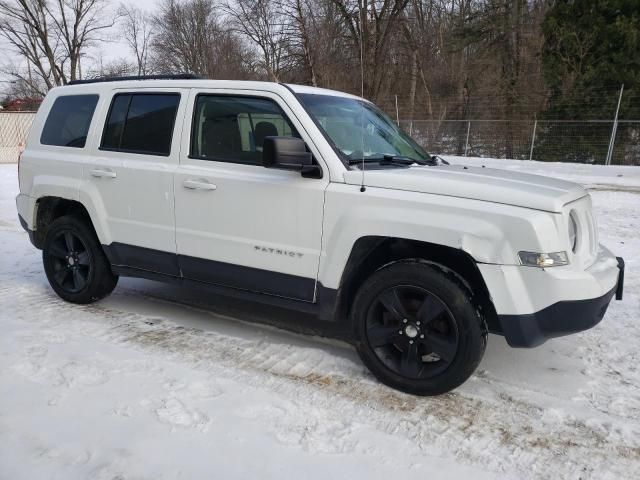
233,128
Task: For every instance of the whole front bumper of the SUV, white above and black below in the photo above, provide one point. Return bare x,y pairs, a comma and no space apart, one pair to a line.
535,304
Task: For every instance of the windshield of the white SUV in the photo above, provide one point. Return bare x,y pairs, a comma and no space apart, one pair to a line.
358,128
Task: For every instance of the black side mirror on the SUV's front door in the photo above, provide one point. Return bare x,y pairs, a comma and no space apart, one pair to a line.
289,153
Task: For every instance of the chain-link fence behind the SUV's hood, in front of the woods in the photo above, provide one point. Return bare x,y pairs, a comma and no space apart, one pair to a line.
589,141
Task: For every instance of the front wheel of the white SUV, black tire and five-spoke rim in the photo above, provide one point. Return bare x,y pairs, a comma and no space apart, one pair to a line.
417,329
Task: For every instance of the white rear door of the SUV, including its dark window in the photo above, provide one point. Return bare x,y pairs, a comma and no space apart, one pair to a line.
131,175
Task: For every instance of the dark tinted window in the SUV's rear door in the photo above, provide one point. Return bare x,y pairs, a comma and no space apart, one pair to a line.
141,123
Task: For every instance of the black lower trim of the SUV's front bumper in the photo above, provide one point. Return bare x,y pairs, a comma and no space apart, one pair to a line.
559,319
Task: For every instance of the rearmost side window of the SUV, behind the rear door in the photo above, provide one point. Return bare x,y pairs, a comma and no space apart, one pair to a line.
68,122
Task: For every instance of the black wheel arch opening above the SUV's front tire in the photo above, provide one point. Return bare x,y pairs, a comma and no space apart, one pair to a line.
371,253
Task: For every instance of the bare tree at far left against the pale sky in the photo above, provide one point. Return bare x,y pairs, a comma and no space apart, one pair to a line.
52,35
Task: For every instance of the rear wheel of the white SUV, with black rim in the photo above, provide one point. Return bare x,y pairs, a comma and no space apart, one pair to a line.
75,264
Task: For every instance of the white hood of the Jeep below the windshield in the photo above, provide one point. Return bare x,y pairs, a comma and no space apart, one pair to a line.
486,184
